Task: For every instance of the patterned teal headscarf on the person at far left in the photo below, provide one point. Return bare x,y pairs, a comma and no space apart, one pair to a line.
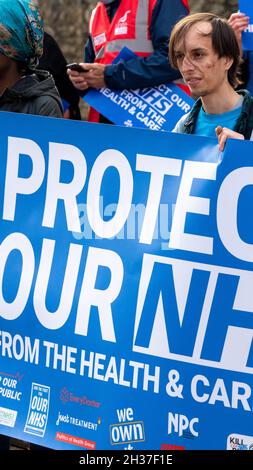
21,31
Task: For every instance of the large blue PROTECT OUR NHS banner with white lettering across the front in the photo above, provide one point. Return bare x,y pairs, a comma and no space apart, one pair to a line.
126,304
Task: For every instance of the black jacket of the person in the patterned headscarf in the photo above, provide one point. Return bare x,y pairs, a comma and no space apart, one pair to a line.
33,94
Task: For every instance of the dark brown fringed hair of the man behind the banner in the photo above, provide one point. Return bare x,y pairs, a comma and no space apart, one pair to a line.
224,40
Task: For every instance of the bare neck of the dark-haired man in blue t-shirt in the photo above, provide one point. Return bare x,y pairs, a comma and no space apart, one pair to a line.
222,101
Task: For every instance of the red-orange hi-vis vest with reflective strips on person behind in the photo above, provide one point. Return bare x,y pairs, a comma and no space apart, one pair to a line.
130,27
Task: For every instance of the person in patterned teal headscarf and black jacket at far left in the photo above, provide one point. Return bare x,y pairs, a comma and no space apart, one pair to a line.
23,88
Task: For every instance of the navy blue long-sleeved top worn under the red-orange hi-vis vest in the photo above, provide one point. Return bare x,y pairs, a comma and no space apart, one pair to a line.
149,71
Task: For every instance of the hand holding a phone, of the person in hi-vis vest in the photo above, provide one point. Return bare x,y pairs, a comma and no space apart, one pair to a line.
93,76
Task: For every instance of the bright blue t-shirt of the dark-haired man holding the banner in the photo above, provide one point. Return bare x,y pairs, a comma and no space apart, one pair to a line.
207,123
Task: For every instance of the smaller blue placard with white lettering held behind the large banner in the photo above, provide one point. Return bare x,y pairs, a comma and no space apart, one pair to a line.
157,108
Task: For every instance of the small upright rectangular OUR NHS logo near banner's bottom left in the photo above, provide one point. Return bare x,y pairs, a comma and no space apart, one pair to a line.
36,421
